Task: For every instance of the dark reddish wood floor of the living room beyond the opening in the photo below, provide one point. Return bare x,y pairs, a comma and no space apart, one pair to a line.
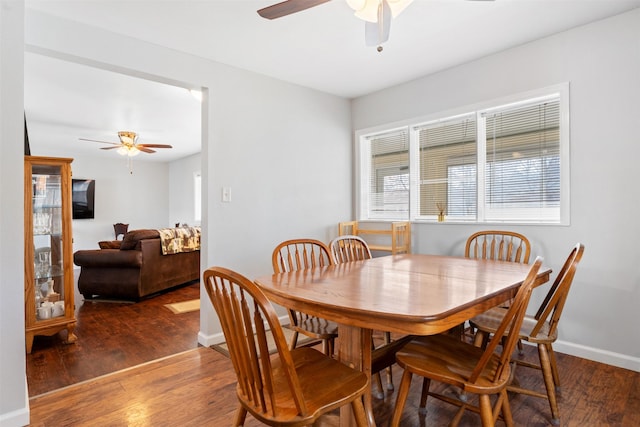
113,335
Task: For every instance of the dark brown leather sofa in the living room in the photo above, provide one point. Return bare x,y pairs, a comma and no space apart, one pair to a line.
134,268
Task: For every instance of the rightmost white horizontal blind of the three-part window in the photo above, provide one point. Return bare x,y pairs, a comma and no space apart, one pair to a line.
522,178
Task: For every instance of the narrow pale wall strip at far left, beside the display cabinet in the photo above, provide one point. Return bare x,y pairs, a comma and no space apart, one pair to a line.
13,385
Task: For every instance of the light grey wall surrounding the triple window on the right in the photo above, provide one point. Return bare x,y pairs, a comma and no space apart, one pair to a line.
601,61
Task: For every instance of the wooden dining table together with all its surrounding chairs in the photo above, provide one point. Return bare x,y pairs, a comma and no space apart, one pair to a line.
409,316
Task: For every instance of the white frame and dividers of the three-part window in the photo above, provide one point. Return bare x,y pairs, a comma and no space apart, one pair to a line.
363,156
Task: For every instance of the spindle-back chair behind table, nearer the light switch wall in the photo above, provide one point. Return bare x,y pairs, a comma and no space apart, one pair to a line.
301,254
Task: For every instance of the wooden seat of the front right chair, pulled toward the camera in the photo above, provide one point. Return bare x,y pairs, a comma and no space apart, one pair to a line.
446,359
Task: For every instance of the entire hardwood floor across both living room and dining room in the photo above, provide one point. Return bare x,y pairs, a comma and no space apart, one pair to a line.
197,386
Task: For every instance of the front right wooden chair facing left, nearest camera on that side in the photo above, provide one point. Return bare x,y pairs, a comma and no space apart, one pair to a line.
484,372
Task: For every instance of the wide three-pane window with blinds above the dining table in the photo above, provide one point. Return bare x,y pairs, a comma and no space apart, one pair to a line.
505,163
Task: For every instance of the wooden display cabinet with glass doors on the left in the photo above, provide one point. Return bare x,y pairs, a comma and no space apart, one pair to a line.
48,250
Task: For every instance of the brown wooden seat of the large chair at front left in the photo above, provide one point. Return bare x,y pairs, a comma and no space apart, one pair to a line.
315,372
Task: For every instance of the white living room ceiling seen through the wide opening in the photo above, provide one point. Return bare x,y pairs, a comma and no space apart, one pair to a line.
66,101
